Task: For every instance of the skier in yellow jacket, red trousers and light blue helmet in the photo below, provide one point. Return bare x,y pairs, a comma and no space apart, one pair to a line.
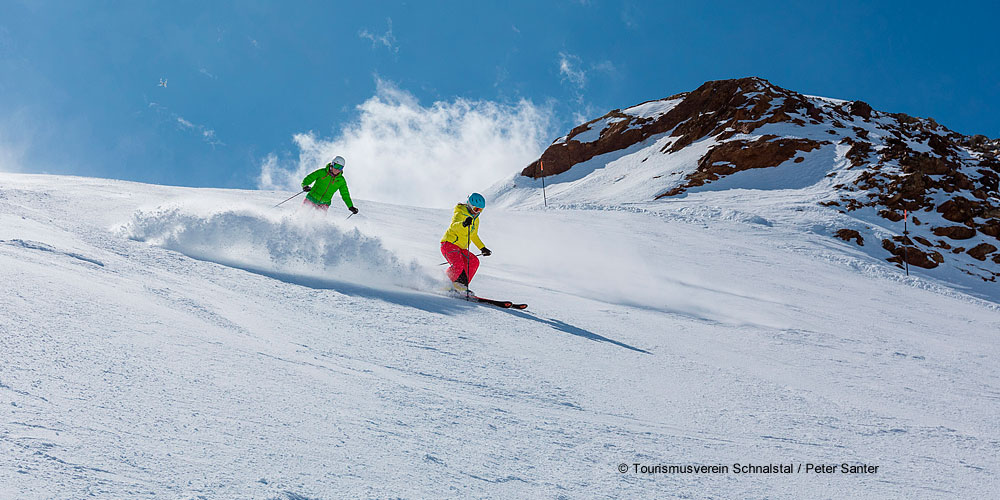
455,242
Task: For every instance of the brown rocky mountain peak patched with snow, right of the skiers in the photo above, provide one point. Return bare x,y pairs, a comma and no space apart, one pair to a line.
885,163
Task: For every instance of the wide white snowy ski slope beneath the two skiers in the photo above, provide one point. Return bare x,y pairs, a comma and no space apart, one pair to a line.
197,343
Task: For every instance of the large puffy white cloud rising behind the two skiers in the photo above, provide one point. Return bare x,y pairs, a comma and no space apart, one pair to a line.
399,151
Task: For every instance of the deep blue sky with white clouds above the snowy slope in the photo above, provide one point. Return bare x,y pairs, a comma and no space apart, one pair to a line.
79,89
